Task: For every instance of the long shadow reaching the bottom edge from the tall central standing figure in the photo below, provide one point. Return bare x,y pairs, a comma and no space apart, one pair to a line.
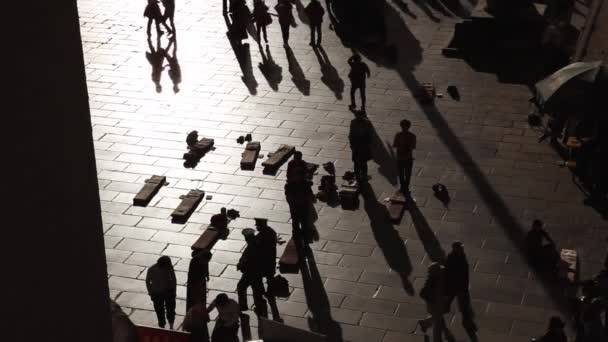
316,296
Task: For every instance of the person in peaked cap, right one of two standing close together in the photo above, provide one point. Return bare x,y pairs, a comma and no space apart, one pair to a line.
267,241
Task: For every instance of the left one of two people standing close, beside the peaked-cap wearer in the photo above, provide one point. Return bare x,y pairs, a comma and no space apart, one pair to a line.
249,265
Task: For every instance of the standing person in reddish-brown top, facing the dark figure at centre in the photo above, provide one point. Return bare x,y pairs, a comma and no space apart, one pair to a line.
405,143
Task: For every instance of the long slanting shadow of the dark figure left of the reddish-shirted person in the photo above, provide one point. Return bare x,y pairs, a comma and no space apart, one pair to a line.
387,237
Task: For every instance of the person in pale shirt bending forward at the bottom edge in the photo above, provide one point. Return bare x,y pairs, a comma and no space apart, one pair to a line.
227,325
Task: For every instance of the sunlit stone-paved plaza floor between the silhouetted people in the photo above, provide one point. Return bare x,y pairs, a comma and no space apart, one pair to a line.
481,147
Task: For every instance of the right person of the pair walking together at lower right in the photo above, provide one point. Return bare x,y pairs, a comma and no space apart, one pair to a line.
457,286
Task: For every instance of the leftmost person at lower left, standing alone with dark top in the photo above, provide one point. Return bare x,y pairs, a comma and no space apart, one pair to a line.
162,285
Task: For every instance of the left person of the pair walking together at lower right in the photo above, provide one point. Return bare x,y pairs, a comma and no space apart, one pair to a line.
433,294
